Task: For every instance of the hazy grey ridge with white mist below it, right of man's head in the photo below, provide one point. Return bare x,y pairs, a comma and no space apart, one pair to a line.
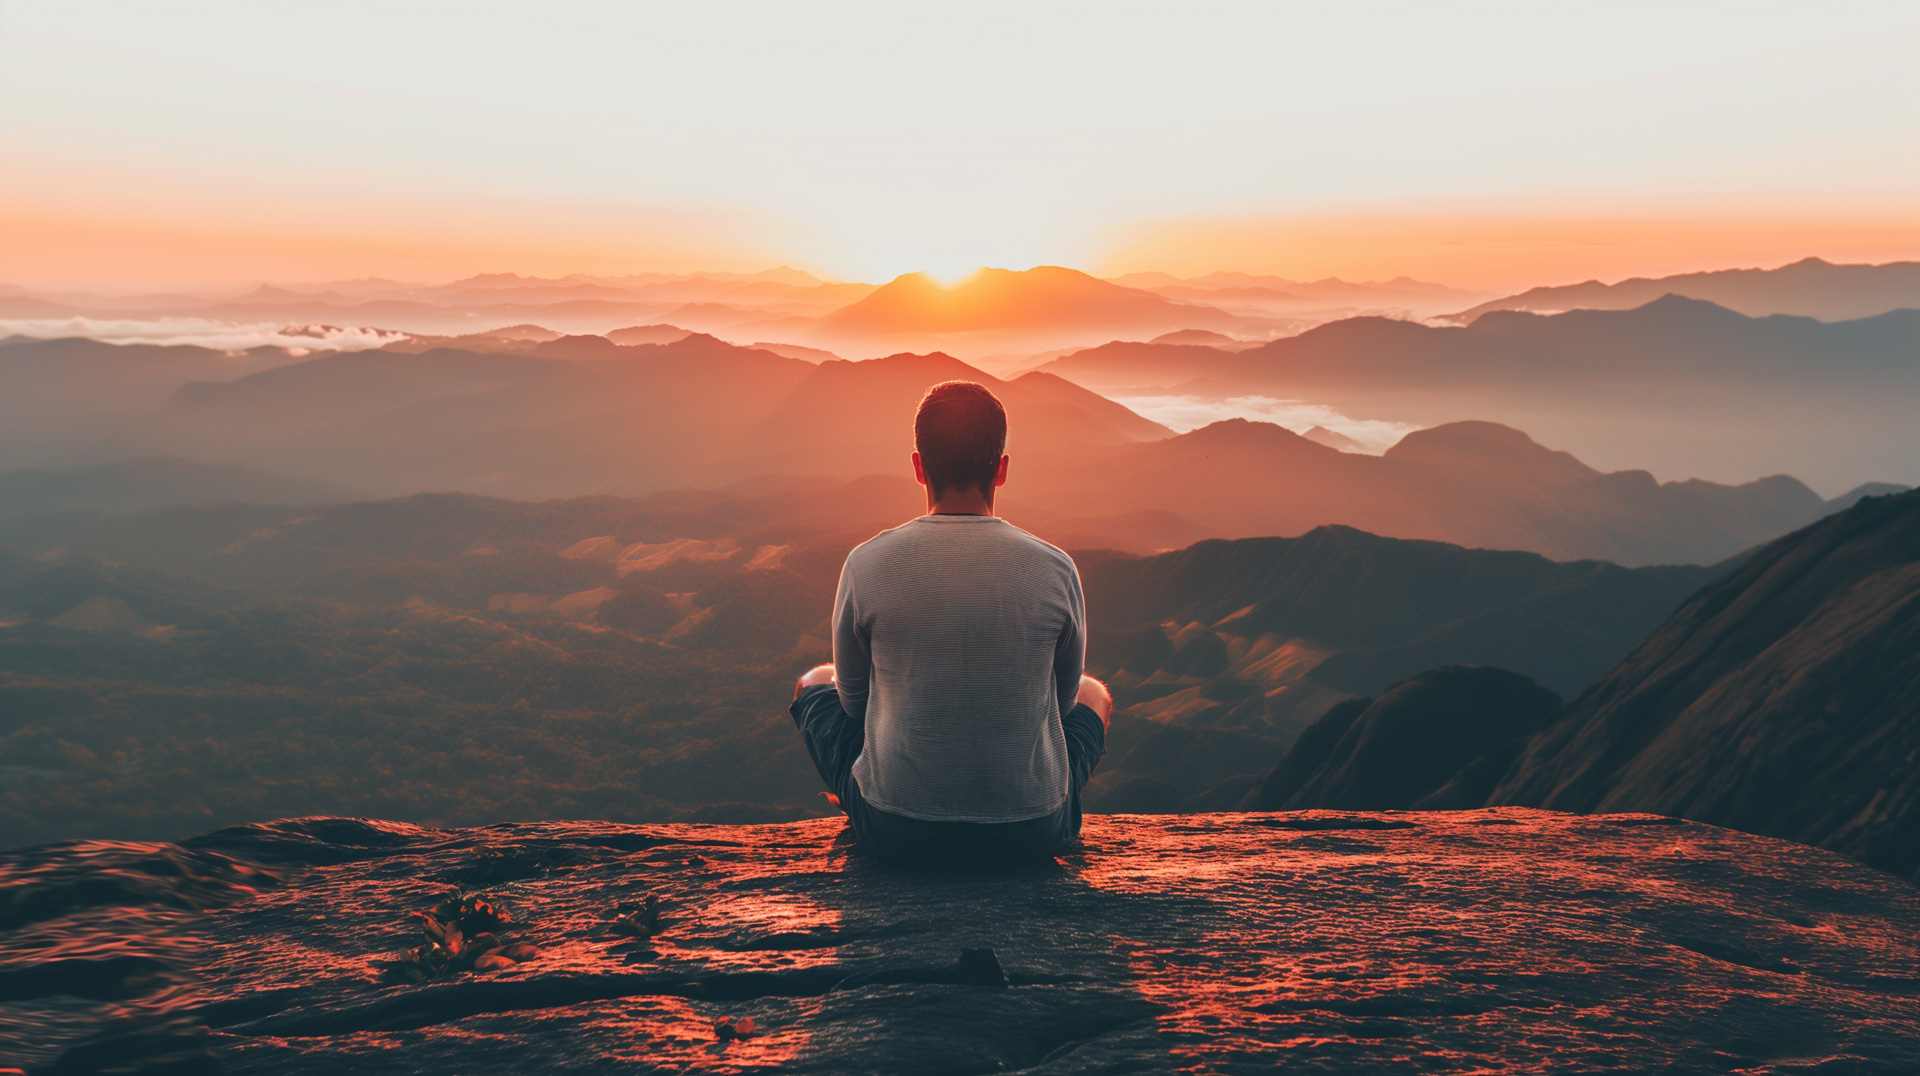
1685,385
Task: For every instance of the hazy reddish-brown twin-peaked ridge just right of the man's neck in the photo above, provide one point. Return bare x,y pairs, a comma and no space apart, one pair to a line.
1468,483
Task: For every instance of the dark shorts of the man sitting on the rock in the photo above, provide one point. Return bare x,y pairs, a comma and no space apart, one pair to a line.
834,739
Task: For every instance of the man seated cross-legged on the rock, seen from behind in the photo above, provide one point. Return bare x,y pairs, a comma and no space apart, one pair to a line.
955,725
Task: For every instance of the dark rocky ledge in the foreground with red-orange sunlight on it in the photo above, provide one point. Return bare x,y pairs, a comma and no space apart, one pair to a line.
1500,941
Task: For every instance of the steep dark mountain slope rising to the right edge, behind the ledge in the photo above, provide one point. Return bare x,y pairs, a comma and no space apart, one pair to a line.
1781,700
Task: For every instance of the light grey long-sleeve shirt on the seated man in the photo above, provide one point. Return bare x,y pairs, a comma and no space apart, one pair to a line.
961,641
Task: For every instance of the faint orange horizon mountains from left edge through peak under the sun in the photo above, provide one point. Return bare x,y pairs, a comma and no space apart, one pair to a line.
994,308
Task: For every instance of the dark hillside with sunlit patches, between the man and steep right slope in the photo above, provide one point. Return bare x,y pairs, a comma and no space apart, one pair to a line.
1224,652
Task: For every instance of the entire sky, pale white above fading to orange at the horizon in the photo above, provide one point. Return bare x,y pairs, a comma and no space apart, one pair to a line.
1487,145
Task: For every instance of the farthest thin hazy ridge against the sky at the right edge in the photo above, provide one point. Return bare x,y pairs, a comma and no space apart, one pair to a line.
1810,289
